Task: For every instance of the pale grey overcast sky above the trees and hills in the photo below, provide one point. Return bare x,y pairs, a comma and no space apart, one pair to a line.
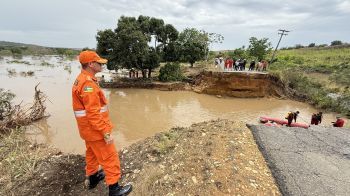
74,23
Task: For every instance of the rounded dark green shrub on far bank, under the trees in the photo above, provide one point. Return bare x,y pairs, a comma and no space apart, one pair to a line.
170,72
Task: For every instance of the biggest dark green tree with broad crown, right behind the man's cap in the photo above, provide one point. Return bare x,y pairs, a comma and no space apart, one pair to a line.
128,45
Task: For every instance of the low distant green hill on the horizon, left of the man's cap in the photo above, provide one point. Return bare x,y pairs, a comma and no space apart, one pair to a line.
13,48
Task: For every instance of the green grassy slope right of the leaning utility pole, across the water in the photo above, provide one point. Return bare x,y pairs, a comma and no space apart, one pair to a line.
319,75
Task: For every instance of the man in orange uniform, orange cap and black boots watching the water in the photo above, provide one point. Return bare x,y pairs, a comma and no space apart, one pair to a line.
95,128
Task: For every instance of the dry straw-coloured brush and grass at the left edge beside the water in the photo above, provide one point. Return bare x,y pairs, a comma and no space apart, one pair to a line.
19,158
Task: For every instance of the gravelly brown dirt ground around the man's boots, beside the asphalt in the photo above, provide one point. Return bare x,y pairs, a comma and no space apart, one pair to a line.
210,158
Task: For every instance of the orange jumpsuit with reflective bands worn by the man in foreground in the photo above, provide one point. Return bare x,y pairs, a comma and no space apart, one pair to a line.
92,115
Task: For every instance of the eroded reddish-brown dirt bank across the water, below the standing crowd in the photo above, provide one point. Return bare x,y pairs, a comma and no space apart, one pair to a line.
232,84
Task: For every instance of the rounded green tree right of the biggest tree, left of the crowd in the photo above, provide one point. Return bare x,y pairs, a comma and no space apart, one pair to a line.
193,45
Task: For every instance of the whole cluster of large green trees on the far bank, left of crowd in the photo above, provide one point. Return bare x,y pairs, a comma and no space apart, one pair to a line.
142,43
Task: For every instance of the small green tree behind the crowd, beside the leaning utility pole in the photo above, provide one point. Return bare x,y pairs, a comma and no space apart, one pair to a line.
259,48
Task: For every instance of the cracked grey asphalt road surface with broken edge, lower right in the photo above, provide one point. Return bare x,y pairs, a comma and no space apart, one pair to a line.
314,161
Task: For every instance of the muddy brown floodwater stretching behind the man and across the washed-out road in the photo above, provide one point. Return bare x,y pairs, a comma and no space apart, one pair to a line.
136,113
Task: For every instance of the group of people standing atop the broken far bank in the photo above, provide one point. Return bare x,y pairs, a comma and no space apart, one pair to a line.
231,64
